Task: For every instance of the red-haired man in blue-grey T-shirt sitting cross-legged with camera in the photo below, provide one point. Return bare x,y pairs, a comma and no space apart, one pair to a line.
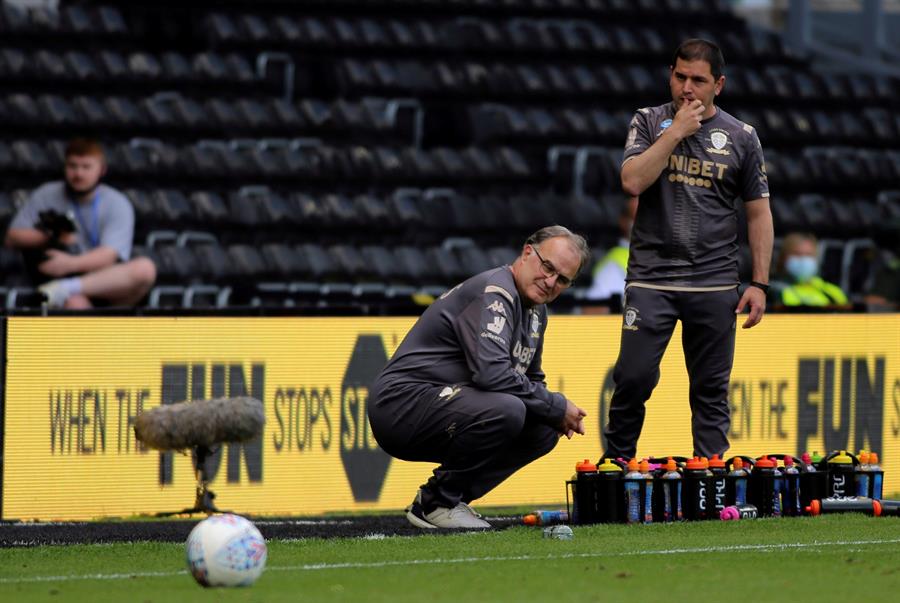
76,235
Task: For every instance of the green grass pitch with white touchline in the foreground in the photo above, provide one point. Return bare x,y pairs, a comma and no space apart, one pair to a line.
841,558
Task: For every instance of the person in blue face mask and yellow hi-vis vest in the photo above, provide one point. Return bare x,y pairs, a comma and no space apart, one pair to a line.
797,274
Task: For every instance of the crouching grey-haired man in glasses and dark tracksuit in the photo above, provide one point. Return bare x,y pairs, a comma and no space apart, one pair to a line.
465,388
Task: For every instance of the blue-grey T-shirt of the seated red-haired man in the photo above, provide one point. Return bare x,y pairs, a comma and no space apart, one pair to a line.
110,225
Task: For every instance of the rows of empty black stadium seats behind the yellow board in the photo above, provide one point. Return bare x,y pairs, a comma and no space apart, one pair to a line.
350,152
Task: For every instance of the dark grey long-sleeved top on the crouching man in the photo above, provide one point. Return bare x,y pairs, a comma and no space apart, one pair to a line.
478,334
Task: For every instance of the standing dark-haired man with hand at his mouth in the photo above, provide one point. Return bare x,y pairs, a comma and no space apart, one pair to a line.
689,161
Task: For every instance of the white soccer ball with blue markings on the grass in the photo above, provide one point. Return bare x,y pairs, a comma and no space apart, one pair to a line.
226,550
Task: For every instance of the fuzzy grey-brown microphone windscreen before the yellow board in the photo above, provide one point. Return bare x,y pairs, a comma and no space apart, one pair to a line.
200,423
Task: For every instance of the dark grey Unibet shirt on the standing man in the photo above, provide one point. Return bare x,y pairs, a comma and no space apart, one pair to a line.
685,232
